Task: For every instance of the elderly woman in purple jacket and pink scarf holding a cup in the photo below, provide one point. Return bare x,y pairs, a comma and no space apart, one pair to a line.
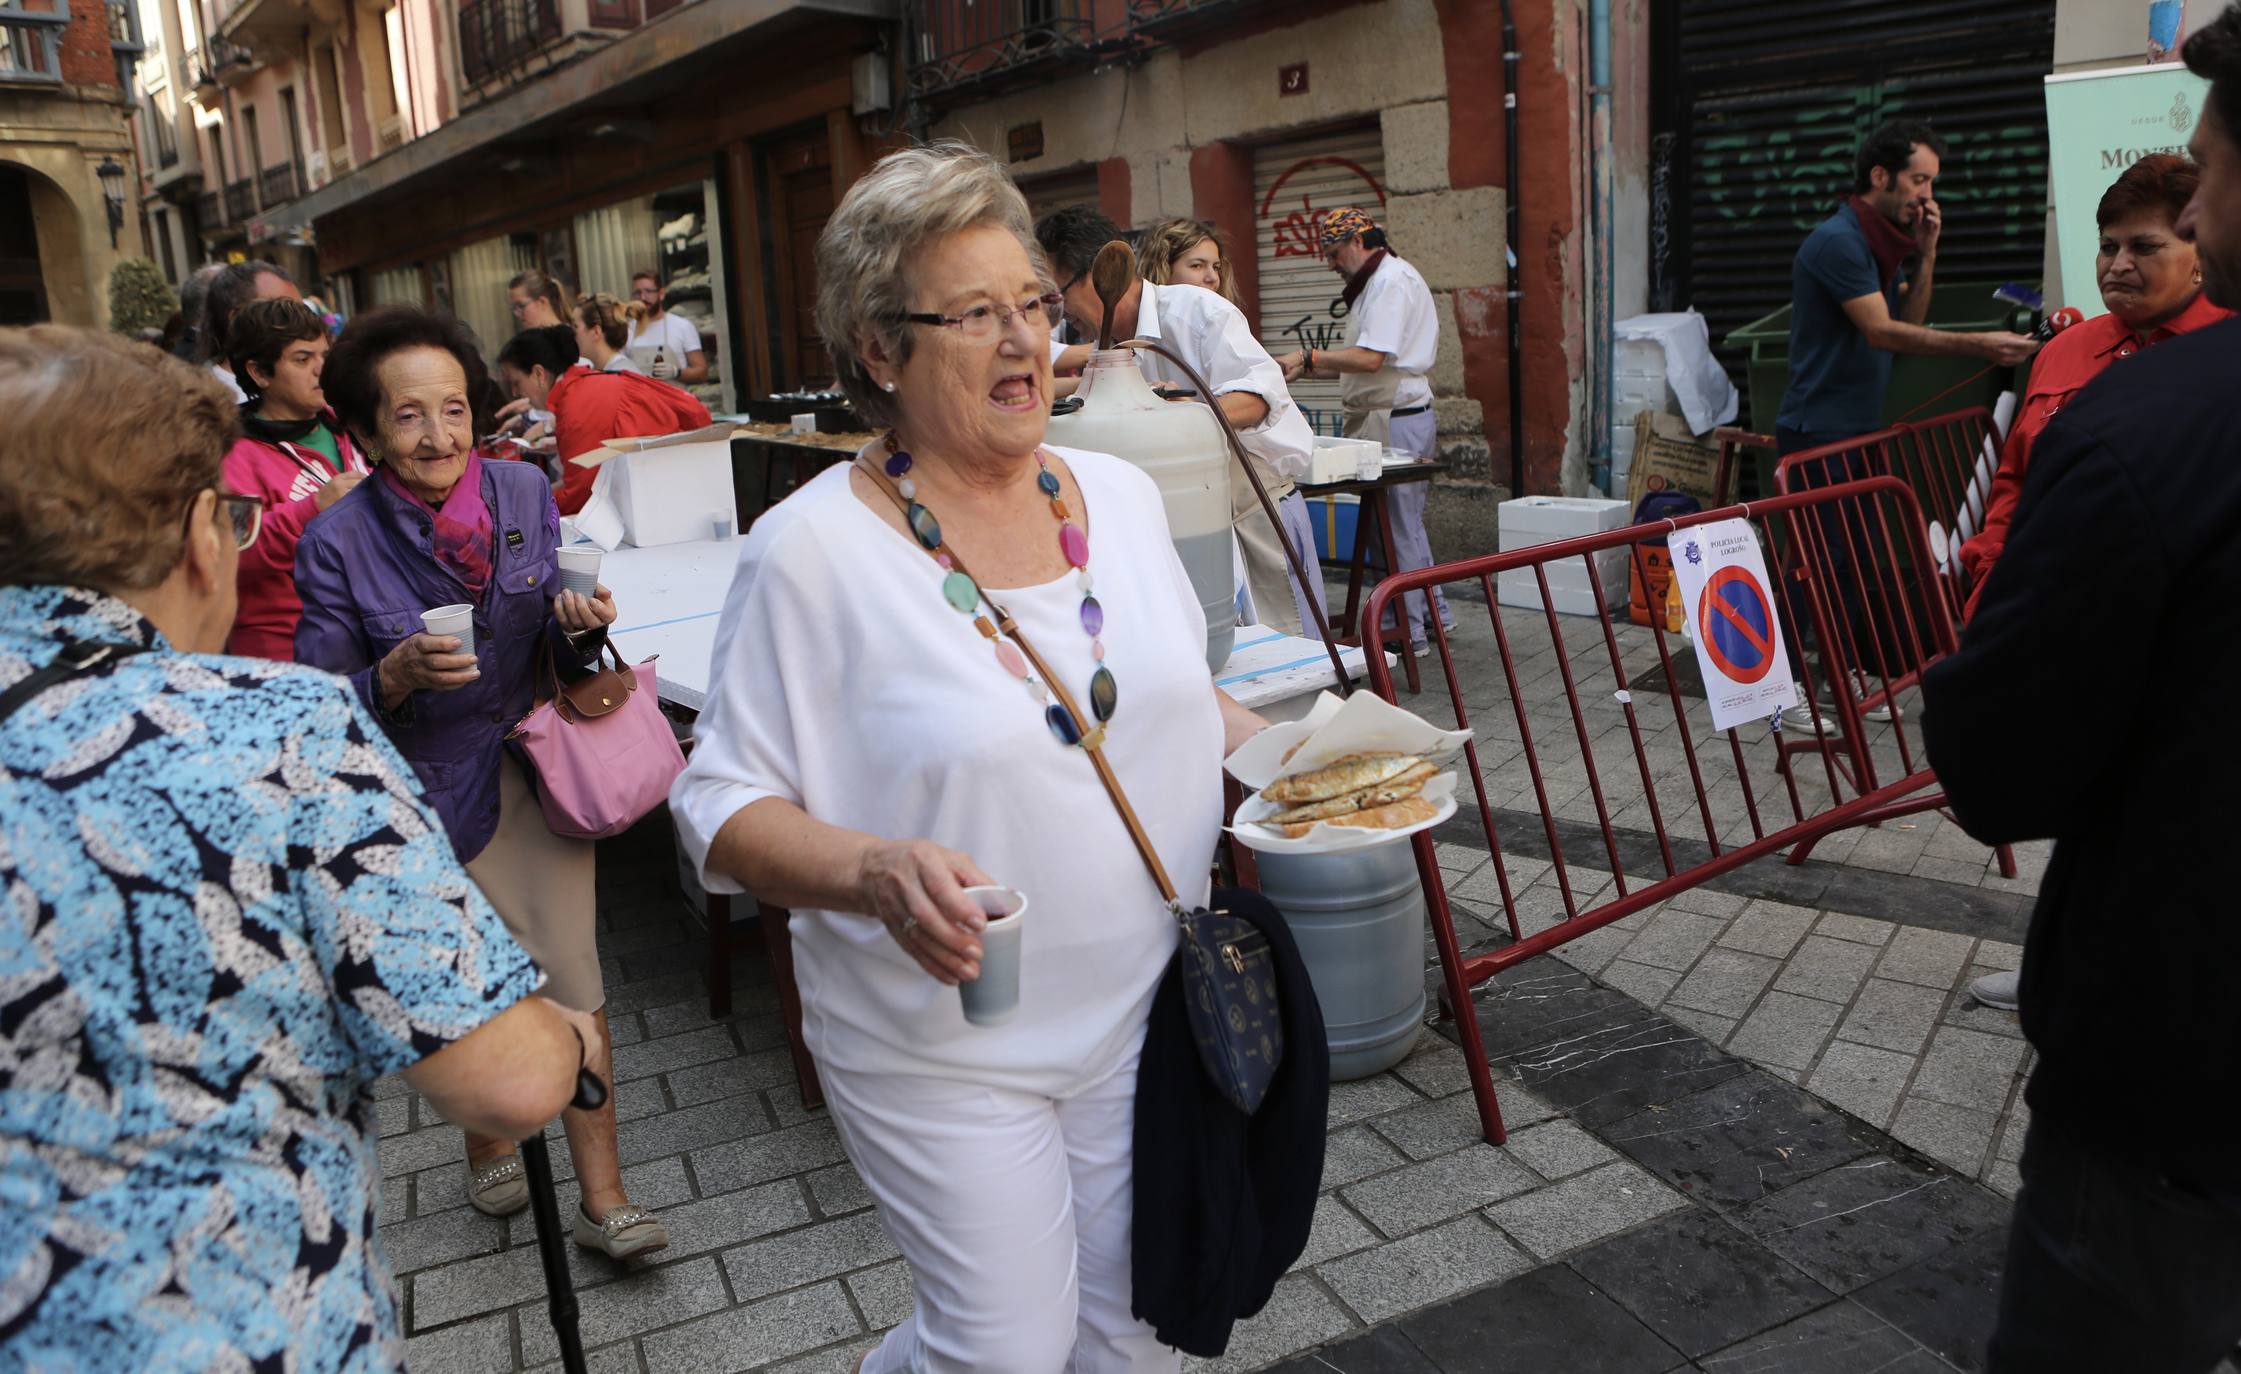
438,526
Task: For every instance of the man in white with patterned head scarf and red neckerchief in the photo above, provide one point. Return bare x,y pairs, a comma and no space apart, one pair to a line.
1393,340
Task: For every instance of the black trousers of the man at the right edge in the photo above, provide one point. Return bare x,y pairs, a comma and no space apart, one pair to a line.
2114,1265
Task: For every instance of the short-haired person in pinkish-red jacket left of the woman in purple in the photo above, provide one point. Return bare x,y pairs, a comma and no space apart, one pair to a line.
292,454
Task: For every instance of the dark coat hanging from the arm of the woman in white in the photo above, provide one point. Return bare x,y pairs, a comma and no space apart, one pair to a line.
1225,1203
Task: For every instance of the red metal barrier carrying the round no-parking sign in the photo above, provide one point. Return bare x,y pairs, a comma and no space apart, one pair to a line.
1592,730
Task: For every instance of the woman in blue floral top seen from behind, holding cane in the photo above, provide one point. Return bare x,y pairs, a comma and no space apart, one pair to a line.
227,913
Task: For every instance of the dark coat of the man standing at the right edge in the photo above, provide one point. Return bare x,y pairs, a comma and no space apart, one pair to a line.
2092,703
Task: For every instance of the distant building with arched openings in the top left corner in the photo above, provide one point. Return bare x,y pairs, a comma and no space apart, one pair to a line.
66,158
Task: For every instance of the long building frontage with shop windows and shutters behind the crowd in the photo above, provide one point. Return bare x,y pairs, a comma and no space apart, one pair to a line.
431,149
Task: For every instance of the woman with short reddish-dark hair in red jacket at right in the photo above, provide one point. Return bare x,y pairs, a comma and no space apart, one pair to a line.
2152,290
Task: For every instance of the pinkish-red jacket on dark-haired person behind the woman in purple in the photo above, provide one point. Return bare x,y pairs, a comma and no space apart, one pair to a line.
288,476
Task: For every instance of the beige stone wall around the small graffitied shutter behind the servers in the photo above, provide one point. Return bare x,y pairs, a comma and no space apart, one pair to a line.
1184,127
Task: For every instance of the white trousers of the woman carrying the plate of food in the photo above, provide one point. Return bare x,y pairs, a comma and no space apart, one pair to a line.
1014,1214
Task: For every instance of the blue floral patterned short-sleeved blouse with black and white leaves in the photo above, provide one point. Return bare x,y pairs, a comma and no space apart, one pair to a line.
225,909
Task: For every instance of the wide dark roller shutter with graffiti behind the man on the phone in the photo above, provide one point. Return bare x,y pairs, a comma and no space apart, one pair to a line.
1763,106
